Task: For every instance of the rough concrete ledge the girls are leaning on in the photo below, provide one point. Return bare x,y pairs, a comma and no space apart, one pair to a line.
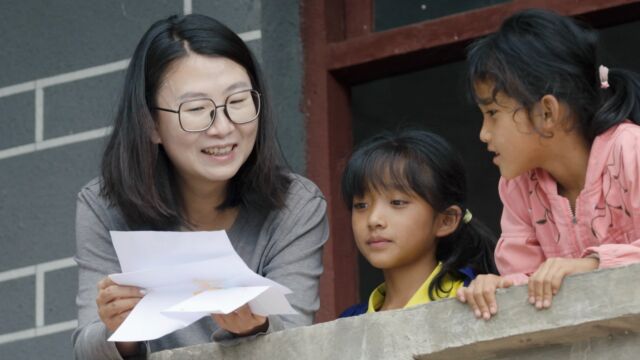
595,316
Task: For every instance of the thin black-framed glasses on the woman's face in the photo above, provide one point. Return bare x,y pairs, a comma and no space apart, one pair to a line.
199,114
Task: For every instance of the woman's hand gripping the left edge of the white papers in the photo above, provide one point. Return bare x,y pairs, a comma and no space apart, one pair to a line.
115,302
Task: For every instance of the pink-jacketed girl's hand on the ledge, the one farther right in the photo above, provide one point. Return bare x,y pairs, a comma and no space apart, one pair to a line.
546,281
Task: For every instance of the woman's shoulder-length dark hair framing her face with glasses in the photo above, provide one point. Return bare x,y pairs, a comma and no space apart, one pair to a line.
138,177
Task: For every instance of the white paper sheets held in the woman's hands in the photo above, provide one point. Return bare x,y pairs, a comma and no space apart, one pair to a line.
187,275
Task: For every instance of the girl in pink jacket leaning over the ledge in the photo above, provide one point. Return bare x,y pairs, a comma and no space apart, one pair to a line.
565,137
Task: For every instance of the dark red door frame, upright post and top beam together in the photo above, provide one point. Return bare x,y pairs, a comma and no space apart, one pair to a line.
340,49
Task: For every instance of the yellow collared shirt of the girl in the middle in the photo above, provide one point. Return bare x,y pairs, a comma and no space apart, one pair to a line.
421,296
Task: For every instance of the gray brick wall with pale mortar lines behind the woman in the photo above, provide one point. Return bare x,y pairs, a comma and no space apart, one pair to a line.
63,63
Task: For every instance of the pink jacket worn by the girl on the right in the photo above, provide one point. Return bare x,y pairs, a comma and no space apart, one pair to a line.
538,224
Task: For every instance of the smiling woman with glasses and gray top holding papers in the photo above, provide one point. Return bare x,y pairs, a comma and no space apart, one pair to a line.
193,149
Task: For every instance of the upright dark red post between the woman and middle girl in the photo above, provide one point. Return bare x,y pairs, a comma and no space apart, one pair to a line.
329,142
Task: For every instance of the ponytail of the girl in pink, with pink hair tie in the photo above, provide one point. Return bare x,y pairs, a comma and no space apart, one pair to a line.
620,100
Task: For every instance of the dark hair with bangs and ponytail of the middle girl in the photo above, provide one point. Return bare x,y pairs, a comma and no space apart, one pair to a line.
422,163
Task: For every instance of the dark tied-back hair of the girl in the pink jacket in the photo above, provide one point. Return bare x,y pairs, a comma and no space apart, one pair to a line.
537,52
